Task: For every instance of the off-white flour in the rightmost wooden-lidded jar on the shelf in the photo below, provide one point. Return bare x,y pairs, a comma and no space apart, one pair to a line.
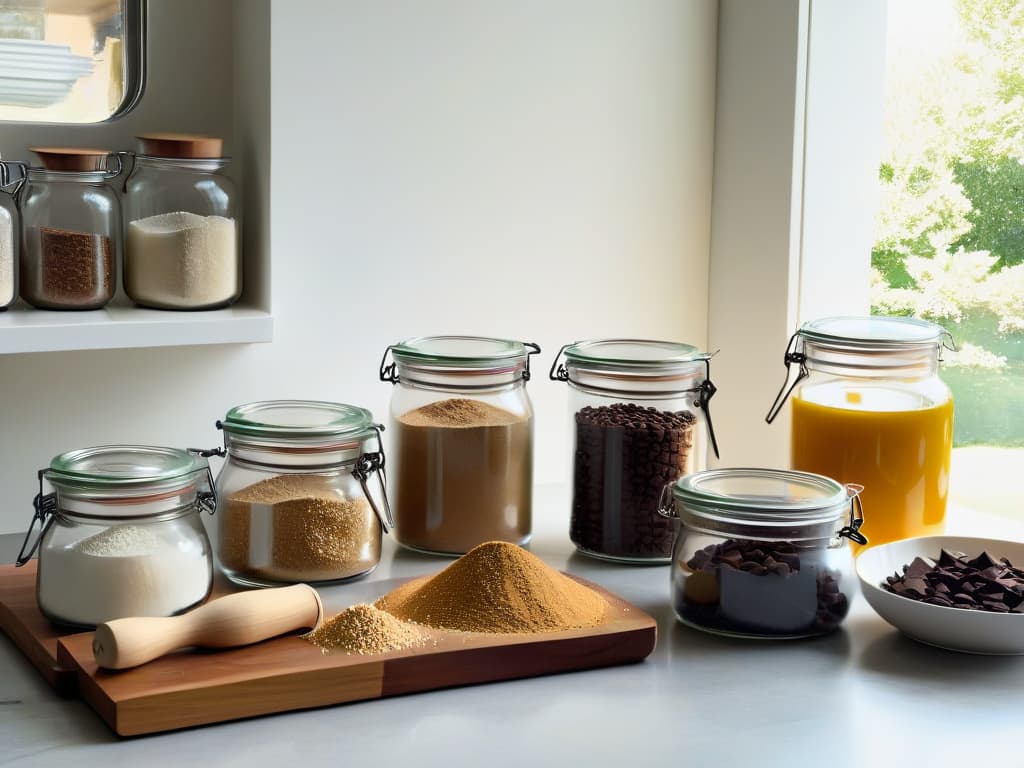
182,261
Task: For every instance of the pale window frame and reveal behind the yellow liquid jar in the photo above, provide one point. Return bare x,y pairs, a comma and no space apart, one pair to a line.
797,145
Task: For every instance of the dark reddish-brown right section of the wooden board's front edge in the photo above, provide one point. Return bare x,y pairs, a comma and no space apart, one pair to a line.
495,664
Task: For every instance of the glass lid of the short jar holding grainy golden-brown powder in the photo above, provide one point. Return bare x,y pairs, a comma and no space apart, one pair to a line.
298,420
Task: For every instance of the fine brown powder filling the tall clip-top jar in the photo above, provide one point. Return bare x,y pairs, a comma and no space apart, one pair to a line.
464,477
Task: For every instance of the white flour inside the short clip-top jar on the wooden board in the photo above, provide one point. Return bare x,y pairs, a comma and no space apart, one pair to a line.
125,571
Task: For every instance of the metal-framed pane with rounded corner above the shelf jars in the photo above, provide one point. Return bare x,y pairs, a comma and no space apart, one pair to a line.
70,61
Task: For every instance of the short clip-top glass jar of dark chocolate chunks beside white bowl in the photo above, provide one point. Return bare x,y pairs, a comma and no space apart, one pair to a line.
761,552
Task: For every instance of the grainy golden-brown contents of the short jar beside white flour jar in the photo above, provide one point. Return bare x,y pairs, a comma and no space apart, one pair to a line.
296,528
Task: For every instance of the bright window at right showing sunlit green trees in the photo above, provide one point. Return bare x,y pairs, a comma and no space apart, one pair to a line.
950,235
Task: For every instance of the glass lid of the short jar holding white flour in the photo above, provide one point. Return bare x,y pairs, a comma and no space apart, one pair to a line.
124,466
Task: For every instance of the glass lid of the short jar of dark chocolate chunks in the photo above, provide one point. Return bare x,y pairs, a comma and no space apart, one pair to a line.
764,495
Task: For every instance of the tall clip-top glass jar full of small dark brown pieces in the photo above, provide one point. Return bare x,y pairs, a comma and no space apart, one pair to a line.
641,420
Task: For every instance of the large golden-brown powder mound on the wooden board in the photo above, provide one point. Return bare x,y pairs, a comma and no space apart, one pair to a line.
497,587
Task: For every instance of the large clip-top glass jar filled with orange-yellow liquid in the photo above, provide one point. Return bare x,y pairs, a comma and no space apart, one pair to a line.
869,407
